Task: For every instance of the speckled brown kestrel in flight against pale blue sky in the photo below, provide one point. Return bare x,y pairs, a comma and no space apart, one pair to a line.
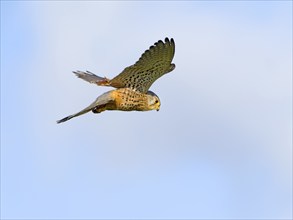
132,85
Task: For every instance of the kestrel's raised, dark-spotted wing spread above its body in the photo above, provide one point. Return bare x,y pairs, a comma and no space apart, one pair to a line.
153,63
